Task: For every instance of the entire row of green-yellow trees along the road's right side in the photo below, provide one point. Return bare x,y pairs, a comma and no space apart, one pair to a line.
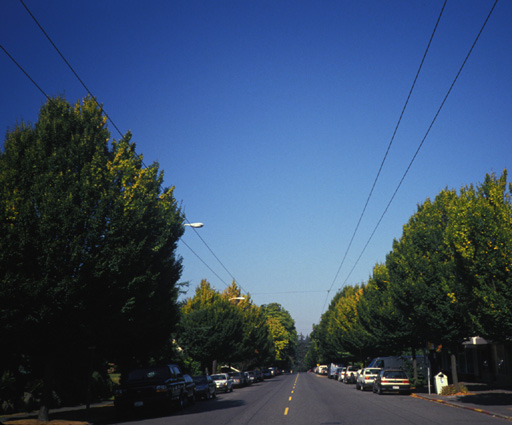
446,279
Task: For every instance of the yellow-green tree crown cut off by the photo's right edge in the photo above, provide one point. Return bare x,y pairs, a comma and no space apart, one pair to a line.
481,236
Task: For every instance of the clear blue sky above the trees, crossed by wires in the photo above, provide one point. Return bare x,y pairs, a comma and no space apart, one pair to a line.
271,119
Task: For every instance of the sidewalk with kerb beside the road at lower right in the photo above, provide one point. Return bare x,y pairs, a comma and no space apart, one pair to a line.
483,398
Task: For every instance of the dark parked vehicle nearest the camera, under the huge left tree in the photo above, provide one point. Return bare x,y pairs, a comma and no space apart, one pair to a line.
160,386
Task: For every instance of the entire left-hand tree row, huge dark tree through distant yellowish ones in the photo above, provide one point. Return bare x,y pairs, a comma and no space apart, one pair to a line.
88,265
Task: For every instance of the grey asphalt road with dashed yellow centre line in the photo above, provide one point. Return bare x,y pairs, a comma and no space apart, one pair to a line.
307,399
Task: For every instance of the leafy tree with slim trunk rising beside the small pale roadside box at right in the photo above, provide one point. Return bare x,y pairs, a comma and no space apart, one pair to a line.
424,282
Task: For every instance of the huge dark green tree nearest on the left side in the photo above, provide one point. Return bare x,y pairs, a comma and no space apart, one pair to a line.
87,245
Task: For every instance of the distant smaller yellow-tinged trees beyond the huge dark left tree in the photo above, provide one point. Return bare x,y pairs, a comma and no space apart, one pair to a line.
229,328
